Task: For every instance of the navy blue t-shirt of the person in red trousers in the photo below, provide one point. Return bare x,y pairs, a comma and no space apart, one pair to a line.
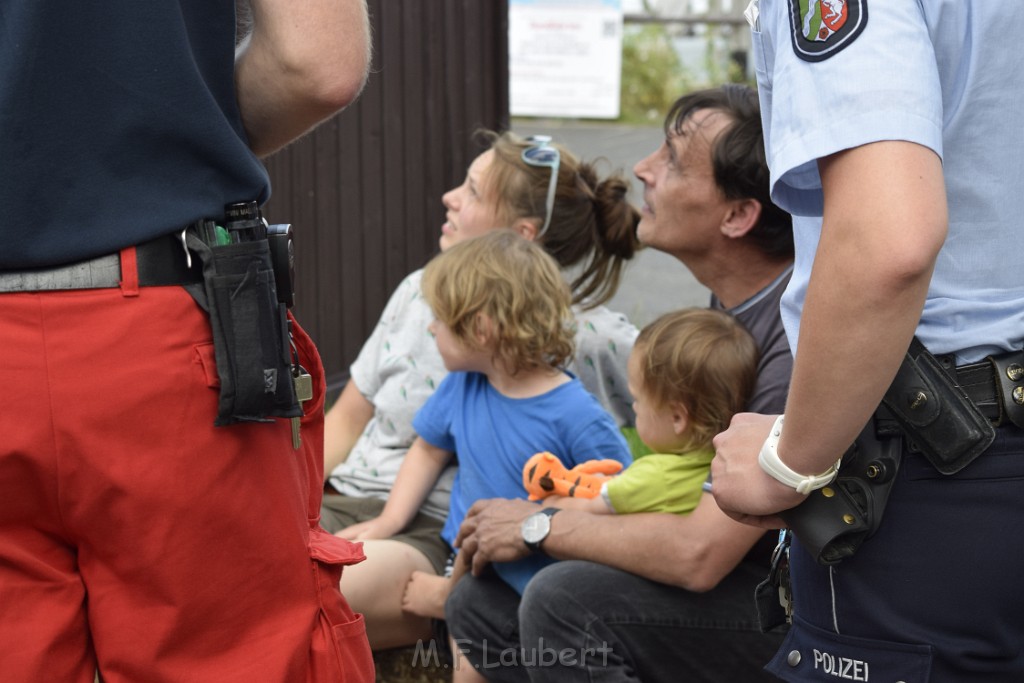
118,124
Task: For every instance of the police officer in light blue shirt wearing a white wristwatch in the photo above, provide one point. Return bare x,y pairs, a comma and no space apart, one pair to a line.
895,123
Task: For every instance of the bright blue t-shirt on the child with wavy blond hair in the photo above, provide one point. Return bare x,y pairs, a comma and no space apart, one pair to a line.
493,438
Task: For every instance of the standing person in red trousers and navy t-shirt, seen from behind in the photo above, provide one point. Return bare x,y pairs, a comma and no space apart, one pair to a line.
138,539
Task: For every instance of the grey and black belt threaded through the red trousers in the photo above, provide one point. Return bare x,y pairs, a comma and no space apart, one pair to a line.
160,263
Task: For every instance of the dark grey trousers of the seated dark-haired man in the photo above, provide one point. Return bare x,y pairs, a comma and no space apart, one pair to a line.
584,622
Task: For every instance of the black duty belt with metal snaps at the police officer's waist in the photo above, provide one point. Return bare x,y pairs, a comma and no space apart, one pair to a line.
996,386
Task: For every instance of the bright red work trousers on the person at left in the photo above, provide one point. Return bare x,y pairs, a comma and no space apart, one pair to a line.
136,537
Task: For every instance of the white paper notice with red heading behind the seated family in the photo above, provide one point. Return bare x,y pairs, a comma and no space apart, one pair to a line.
566,58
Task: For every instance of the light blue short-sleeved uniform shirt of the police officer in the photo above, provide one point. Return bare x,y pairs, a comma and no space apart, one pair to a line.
906,77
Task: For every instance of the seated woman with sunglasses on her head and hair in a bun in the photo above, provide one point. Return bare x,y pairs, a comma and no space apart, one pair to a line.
545,194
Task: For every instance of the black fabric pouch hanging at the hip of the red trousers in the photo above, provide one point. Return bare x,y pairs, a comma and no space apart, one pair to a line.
250,332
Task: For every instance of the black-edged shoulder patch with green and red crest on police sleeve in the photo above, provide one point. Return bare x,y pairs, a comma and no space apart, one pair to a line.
823,28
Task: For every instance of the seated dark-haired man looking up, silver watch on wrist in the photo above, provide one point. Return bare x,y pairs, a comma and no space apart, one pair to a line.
653,597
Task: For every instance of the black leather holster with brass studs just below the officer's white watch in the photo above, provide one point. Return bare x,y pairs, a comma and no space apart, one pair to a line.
836,520
